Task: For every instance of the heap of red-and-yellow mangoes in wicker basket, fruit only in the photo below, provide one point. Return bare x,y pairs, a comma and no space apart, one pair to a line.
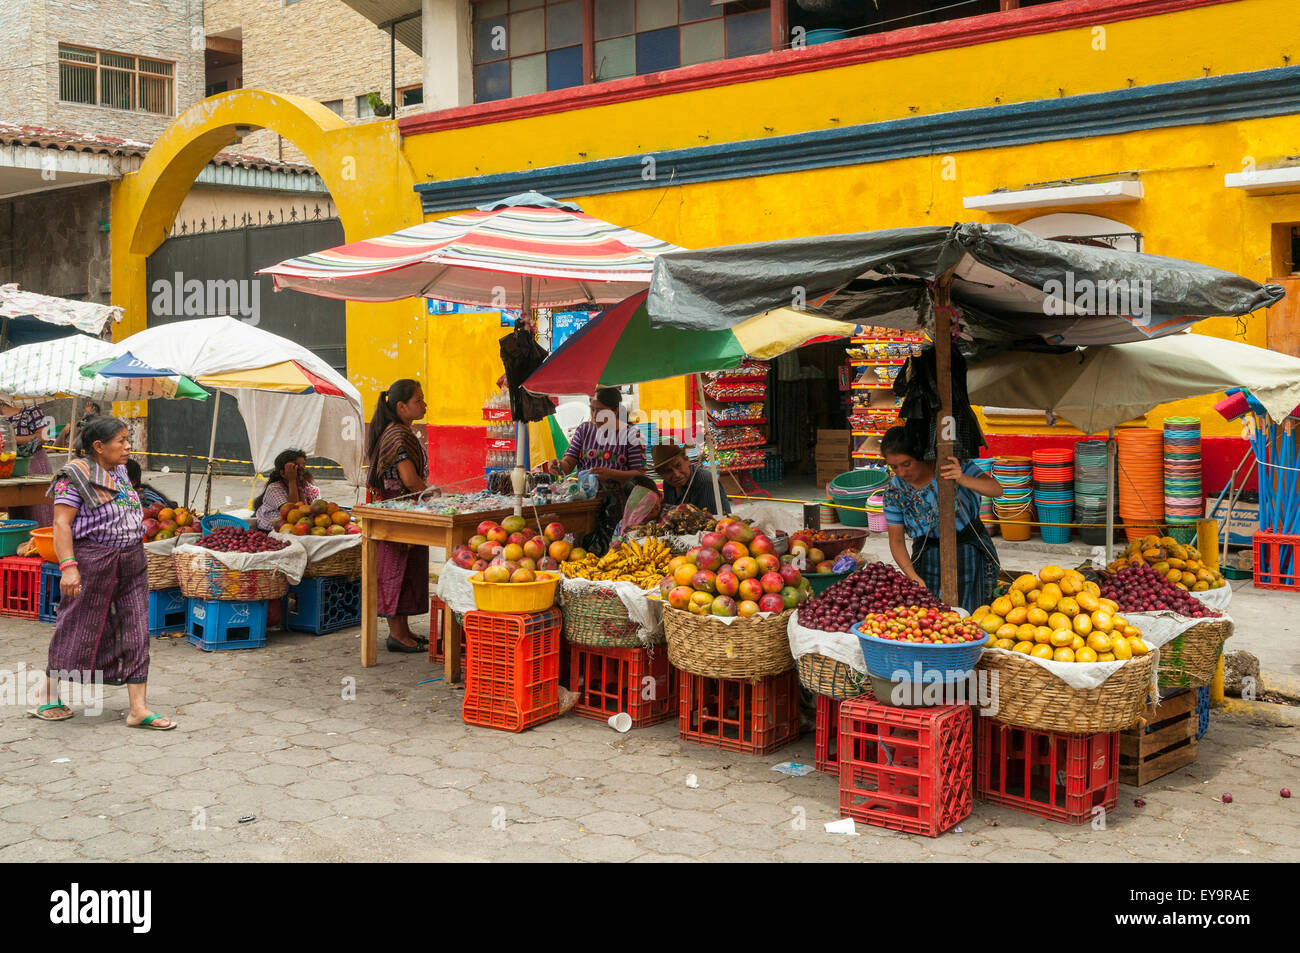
734,571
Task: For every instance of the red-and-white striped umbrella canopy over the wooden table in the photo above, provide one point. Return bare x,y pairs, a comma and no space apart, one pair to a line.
527,252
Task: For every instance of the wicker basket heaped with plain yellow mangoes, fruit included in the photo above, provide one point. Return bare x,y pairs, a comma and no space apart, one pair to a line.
1065,659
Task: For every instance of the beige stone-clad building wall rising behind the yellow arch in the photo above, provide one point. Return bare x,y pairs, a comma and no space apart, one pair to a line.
322,50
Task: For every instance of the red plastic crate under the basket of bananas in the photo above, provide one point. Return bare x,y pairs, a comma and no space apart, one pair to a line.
632,681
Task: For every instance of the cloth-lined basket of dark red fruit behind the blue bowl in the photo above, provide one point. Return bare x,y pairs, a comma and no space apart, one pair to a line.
822,636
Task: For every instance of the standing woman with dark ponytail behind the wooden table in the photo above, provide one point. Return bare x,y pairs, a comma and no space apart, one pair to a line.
398,467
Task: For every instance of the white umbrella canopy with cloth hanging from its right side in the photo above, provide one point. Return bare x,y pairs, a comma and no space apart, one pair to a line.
288,396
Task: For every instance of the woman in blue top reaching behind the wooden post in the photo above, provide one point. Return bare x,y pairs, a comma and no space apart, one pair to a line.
912,509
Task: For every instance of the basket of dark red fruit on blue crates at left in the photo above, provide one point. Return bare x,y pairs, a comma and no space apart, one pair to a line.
255,577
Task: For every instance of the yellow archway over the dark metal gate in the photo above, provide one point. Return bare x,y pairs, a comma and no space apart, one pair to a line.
365,168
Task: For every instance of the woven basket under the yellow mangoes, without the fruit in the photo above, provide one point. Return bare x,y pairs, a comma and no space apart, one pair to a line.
1029,696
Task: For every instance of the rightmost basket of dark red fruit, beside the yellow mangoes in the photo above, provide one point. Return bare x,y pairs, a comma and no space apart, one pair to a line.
1191,659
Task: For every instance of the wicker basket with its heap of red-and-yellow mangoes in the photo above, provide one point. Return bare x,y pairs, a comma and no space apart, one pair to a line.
727,609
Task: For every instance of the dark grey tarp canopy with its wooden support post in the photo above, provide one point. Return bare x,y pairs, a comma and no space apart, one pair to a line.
1009,289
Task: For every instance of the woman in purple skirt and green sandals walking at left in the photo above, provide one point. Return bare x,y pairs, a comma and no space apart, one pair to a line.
103,629
